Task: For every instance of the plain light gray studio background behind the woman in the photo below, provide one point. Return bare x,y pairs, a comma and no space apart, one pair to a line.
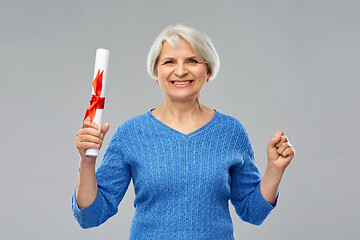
284,64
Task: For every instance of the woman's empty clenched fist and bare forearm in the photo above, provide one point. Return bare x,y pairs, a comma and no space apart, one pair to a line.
280,153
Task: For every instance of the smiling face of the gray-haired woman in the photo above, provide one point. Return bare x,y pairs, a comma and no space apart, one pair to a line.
180,73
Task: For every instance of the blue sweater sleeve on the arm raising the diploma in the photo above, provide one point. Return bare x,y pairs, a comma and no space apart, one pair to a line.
113,177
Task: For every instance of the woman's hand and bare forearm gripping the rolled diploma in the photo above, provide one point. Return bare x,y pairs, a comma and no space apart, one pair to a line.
88,137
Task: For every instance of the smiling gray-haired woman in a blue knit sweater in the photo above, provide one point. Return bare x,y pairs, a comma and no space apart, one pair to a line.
186,160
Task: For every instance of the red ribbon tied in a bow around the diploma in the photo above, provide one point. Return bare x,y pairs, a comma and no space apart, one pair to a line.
96,101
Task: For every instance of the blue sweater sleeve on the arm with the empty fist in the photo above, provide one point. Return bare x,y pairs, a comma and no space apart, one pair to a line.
245,187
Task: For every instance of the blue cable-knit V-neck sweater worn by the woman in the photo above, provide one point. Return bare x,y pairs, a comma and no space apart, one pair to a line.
183,182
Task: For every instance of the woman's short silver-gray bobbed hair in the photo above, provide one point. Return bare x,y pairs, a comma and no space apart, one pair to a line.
199,41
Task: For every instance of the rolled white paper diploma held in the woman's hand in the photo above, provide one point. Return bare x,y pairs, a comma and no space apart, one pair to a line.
101,63
